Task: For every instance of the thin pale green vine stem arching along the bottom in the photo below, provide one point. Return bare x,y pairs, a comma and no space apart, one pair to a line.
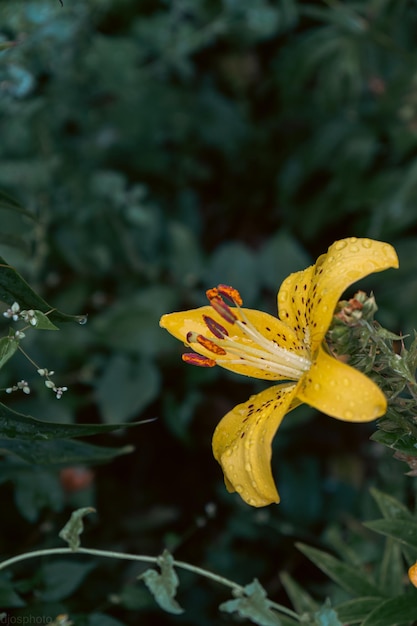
143,559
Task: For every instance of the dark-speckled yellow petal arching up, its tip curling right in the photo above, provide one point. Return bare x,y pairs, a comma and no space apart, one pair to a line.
307,299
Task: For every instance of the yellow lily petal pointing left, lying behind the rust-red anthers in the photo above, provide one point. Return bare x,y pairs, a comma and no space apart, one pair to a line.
180,324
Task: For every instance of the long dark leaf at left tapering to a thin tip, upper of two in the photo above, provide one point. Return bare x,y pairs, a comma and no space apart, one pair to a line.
17,425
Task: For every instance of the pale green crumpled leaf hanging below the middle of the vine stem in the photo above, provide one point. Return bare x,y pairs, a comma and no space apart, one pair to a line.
163,586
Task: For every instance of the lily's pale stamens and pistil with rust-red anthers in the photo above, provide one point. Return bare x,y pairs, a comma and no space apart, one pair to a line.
249,347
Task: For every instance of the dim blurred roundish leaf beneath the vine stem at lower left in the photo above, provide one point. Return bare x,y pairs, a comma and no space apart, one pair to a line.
61,578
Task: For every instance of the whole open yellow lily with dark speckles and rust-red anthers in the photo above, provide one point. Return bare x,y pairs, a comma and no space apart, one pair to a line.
289,348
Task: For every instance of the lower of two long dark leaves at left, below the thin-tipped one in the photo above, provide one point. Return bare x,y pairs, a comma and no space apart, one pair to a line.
60,452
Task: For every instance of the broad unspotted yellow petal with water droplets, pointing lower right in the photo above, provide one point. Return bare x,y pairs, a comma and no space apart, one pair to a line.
341,391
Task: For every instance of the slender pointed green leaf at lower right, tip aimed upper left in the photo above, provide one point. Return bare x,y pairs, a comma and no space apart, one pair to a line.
348,577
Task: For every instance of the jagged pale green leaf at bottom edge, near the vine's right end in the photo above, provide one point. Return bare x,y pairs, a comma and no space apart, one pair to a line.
254,605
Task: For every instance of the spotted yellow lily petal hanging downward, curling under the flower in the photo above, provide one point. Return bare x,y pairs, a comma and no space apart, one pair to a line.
242,443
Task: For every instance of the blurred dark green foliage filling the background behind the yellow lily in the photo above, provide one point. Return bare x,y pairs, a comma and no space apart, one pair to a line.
158,148
